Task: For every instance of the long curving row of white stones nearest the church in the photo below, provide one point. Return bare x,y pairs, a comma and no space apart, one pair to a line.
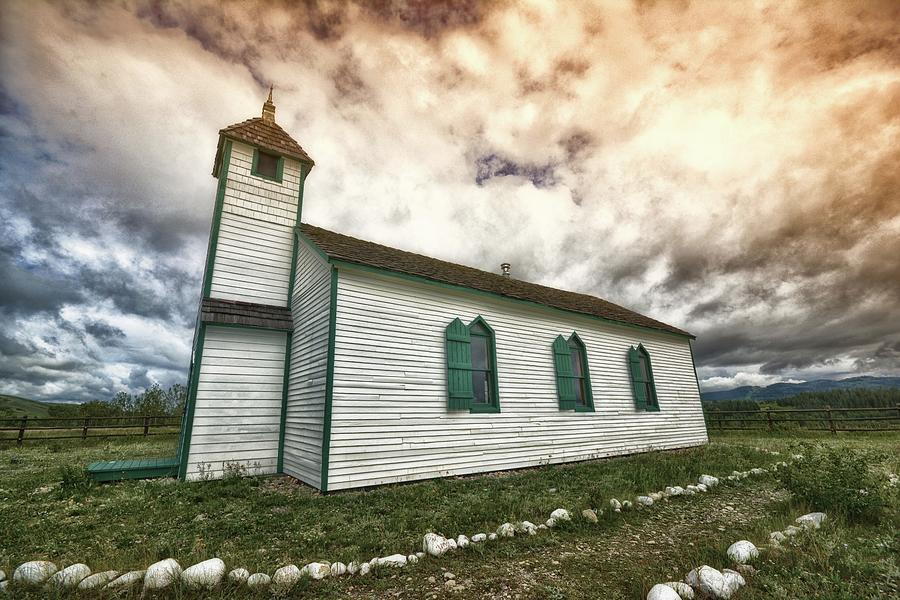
210,573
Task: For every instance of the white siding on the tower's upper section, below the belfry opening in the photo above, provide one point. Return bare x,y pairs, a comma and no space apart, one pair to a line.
255,243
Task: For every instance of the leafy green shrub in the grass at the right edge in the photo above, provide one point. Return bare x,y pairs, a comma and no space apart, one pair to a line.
837,479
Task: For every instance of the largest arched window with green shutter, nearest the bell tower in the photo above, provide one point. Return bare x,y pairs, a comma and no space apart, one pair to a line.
471,367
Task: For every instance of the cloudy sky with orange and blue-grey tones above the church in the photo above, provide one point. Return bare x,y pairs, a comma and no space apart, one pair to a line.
732,168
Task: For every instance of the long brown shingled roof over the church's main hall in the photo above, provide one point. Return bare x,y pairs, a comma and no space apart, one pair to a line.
360,252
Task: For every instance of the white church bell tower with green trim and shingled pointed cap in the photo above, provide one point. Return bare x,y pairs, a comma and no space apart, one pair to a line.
234,414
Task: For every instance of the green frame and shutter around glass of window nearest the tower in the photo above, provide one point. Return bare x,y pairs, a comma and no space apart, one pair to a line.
460,385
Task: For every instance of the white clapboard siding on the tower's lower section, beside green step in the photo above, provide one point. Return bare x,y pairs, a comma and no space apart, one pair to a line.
237,415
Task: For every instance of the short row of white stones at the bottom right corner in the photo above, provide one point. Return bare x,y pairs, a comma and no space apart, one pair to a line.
713,584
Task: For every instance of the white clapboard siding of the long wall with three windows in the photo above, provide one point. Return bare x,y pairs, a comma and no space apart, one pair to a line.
390,420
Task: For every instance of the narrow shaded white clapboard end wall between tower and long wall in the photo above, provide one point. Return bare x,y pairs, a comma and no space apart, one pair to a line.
309,354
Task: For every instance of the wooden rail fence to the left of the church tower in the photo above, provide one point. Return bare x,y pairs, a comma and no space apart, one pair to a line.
23,429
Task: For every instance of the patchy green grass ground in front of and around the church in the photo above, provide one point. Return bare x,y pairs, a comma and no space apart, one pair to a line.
47,511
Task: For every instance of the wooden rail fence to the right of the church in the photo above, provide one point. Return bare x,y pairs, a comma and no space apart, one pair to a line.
812,419
